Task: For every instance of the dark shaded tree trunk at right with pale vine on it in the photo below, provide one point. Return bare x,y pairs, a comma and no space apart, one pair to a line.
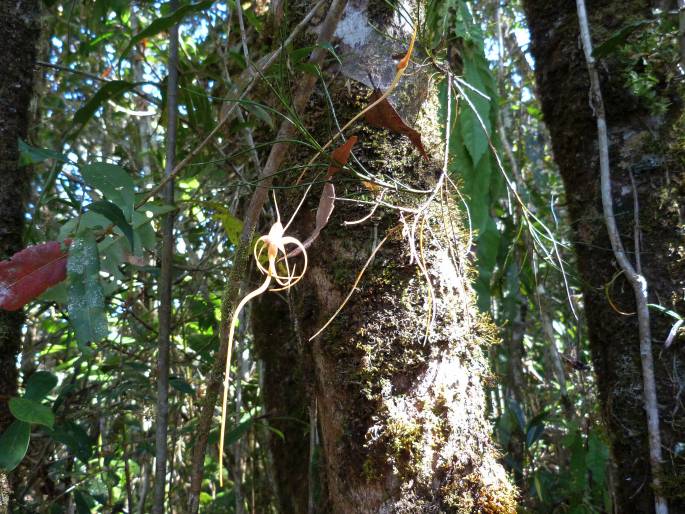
643,137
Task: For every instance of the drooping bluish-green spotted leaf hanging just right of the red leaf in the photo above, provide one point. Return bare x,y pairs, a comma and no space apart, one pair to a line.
86,299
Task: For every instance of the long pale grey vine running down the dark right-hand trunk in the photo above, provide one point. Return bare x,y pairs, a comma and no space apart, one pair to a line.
636,279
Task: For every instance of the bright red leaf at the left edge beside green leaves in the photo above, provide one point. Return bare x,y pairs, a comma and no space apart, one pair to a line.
30,272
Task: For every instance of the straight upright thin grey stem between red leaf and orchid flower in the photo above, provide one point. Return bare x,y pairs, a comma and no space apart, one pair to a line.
165,280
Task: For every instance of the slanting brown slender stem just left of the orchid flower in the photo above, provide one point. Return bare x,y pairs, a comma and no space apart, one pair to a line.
230,300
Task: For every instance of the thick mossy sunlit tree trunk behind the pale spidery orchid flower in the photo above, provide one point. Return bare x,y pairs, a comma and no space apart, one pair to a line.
402,419
